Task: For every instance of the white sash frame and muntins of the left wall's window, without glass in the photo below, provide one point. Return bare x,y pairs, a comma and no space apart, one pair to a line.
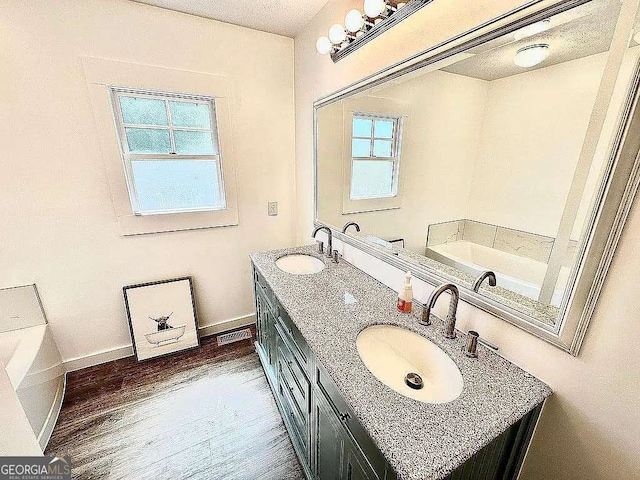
116,94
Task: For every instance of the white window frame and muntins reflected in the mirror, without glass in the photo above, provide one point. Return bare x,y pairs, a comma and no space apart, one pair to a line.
396,145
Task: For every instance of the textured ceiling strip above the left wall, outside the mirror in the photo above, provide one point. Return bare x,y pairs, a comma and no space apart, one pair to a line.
283,17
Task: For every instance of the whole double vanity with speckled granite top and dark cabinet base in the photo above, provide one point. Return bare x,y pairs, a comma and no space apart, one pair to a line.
344,423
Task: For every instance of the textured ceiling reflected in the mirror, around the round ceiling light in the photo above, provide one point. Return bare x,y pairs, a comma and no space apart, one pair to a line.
577,33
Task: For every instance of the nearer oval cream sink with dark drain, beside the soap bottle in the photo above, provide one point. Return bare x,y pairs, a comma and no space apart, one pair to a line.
391,353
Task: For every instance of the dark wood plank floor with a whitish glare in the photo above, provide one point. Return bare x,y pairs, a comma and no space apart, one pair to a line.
203,414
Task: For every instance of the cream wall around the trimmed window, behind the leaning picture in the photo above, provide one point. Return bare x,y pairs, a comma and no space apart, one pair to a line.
58,226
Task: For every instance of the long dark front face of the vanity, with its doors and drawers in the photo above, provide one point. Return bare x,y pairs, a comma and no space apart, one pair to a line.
323,429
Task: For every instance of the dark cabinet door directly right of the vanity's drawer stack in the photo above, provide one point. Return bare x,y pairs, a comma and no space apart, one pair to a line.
328,441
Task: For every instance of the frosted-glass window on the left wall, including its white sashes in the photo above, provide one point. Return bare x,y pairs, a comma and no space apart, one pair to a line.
170,149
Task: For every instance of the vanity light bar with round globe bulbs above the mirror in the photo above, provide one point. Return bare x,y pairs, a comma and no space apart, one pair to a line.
379,16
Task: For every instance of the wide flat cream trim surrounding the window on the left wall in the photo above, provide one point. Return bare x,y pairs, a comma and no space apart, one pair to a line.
101,75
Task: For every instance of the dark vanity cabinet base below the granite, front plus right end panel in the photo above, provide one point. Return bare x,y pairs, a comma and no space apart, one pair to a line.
330,442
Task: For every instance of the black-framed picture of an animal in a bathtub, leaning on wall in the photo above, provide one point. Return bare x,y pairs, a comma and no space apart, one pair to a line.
162,317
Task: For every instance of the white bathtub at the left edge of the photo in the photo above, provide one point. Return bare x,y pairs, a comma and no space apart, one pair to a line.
32,381
